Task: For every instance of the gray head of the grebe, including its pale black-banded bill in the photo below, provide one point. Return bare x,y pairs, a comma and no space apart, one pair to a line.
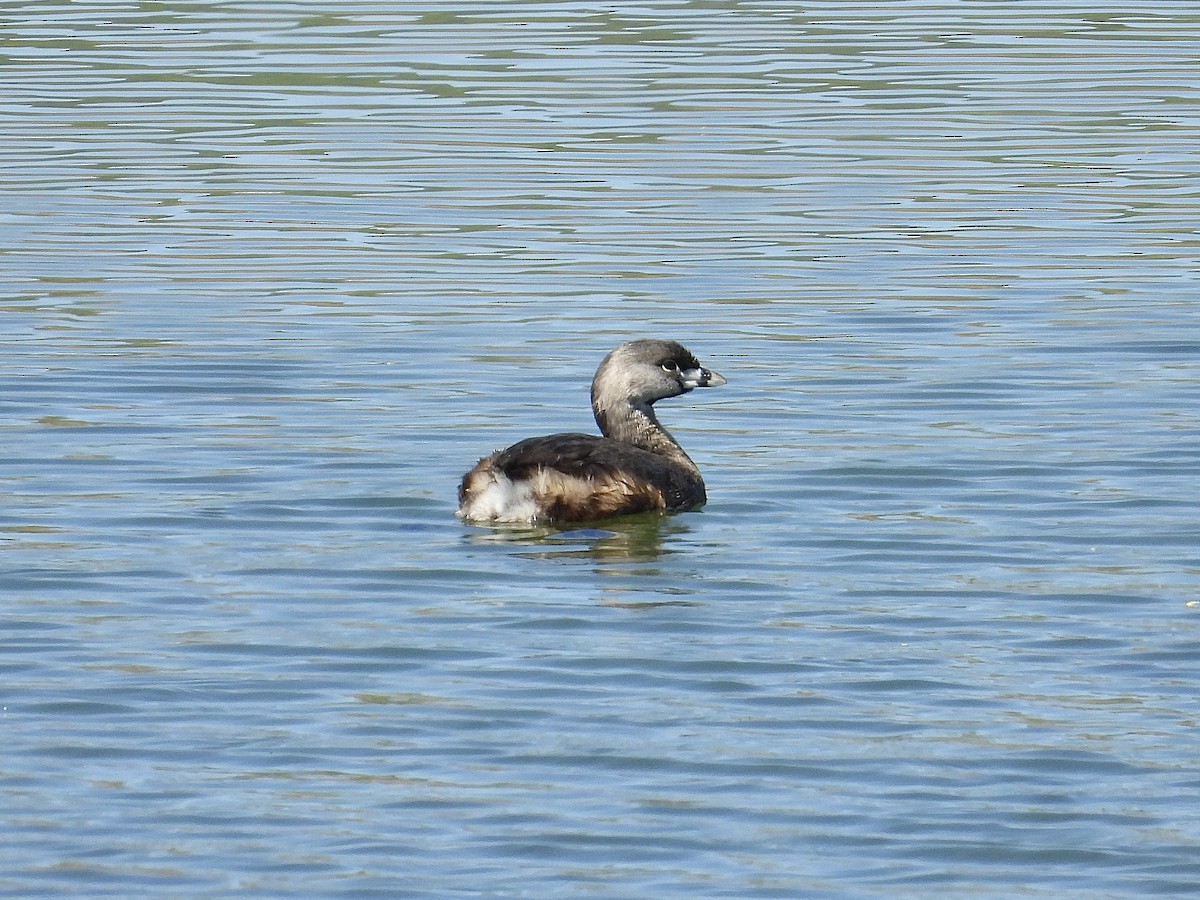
641,373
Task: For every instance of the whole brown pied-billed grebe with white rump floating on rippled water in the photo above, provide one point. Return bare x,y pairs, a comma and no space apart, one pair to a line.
635,467
